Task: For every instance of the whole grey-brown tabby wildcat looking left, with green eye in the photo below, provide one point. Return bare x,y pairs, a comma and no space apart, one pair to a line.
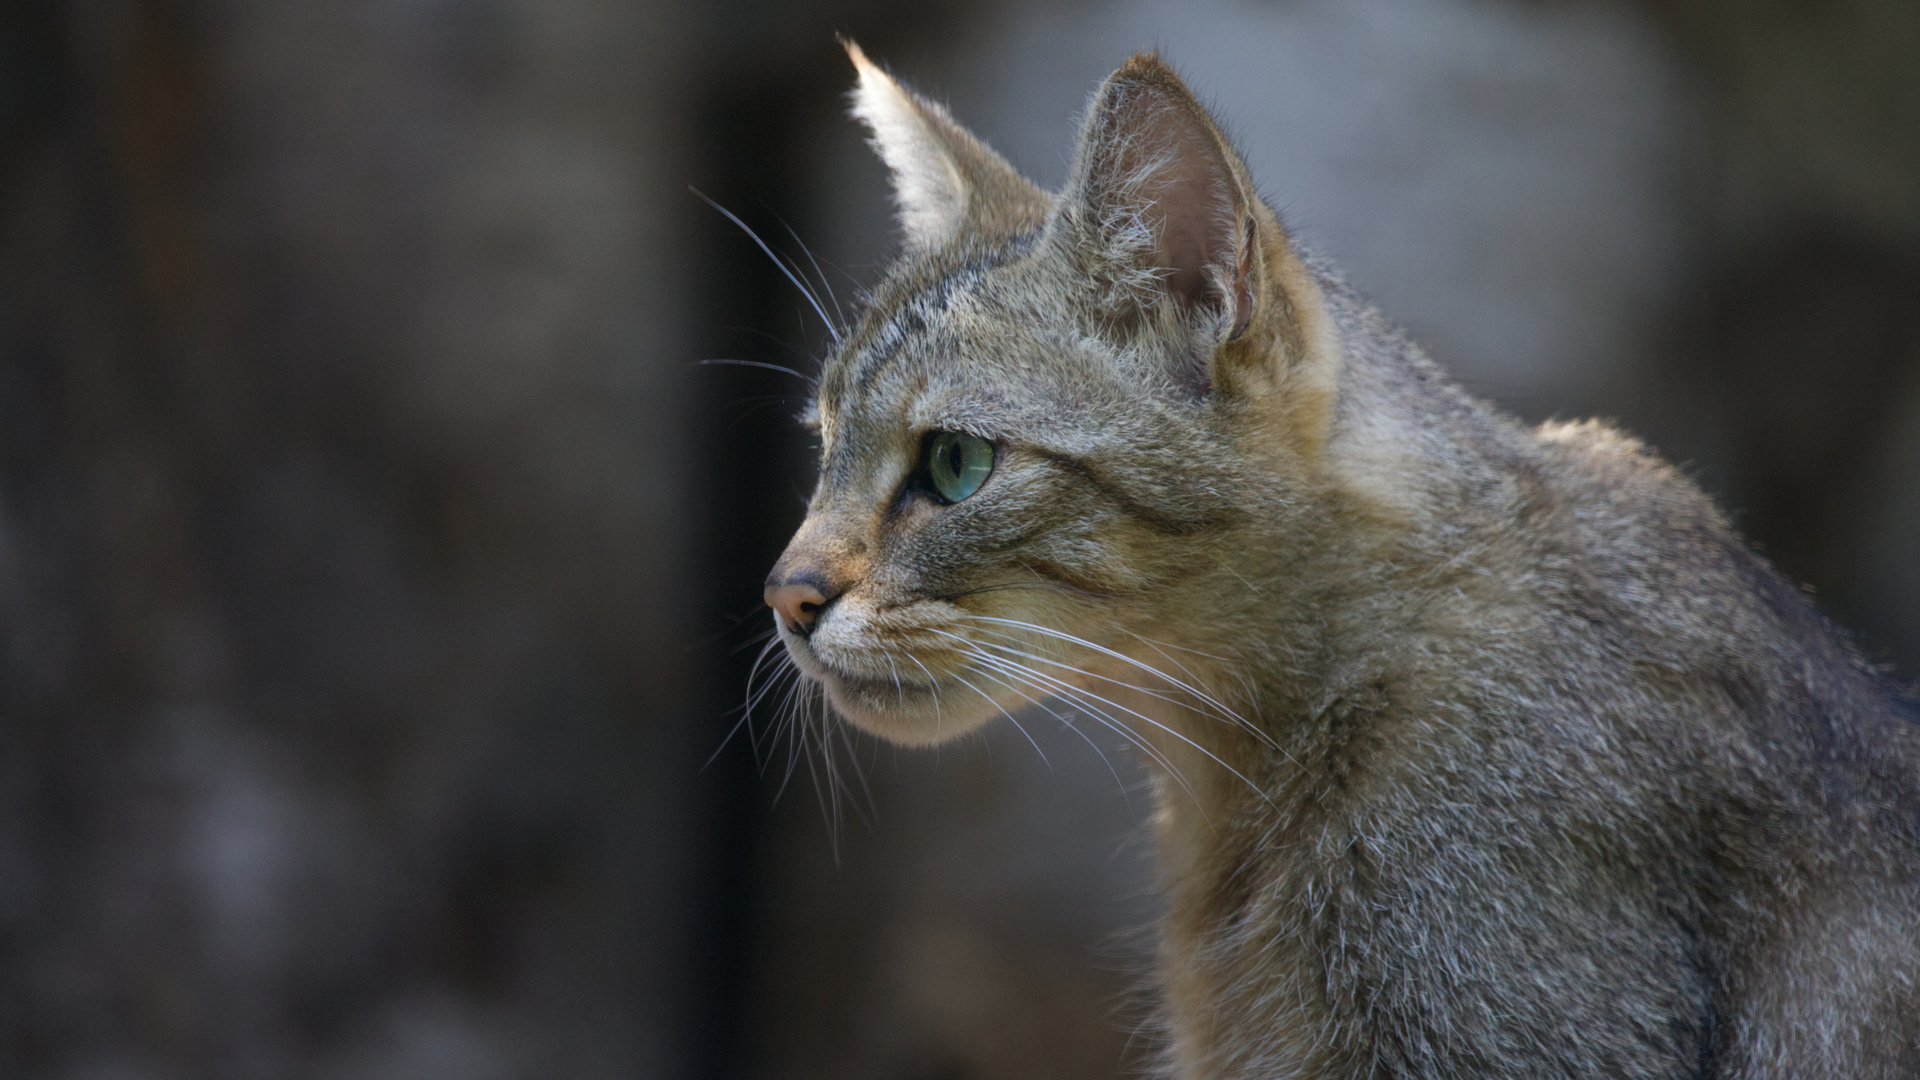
1479,750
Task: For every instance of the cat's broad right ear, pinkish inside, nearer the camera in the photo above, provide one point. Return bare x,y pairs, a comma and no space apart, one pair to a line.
1161,214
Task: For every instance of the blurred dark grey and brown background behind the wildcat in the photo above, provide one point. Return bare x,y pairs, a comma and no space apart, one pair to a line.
375,556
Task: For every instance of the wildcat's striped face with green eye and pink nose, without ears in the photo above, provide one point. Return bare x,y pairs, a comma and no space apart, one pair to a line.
1001,499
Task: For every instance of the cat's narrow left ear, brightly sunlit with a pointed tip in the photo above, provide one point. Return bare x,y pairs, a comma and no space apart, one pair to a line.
946,182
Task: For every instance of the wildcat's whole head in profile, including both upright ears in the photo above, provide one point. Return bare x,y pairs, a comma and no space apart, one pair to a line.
1057,418
